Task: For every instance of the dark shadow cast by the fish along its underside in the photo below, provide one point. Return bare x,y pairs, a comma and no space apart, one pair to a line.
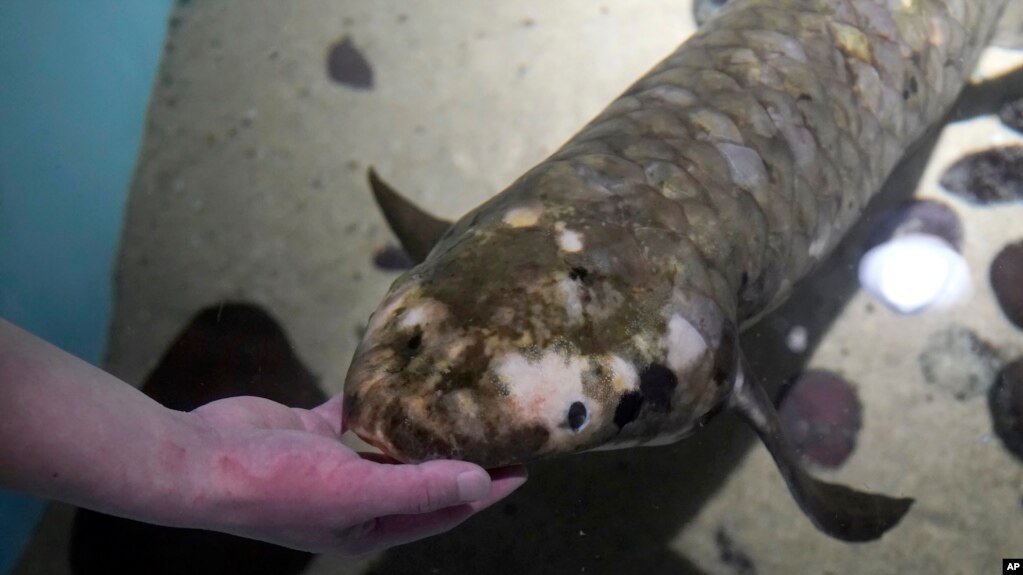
617,512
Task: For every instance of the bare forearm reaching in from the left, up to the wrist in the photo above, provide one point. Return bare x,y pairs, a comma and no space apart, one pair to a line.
74,433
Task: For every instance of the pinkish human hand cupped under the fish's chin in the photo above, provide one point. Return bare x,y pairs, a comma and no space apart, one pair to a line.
281,475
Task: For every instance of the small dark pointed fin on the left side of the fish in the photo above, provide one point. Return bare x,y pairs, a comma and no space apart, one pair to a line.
417,231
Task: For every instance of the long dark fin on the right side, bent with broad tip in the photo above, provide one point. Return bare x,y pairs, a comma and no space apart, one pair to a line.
838,511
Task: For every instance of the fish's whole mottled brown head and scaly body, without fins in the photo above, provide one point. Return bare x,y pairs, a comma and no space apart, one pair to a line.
617,274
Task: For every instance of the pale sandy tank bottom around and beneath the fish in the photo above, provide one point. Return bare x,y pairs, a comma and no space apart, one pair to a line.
251,189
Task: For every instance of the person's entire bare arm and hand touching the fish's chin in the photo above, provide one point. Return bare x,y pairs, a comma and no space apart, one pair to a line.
244,466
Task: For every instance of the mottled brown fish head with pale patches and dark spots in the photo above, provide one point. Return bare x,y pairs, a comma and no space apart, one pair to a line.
528,333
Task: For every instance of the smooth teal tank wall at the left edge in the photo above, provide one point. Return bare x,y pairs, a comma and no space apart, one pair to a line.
75,80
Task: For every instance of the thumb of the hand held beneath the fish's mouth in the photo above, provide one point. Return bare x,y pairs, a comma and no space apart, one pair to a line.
409,490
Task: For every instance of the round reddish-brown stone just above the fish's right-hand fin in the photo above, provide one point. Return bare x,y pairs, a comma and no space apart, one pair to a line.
822,416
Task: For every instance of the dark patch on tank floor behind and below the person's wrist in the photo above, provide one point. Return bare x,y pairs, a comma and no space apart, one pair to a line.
228,350
